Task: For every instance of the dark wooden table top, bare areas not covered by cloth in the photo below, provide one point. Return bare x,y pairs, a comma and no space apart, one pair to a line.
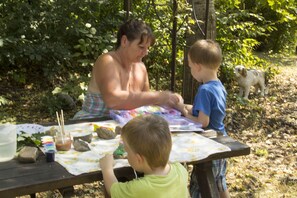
18,179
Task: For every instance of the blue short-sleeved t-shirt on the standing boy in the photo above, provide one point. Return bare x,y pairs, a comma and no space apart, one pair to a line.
211,100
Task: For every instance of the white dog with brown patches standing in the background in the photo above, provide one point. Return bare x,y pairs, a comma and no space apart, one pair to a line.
247,78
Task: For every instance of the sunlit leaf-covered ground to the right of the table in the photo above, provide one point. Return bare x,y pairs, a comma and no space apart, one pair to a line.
270,129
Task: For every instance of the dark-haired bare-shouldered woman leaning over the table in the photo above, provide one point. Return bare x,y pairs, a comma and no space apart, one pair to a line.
119,78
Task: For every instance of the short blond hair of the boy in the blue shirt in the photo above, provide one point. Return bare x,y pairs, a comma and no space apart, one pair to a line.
207,53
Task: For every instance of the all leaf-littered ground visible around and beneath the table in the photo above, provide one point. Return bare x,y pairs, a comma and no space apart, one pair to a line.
268,125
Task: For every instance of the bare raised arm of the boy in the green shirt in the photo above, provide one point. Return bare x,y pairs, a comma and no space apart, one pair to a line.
106,165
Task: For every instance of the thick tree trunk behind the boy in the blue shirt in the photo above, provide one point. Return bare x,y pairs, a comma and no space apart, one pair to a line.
205,28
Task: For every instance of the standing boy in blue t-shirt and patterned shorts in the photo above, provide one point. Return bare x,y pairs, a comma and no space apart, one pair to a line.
209,106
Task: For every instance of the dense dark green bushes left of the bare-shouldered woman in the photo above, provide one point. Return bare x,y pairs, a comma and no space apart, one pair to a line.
50,40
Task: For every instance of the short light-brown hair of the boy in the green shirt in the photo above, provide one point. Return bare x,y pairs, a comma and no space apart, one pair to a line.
149,136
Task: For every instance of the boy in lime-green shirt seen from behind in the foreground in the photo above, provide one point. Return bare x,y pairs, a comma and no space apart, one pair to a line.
147,141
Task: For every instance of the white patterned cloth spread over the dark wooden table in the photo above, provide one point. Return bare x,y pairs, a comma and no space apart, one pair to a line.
187,147
